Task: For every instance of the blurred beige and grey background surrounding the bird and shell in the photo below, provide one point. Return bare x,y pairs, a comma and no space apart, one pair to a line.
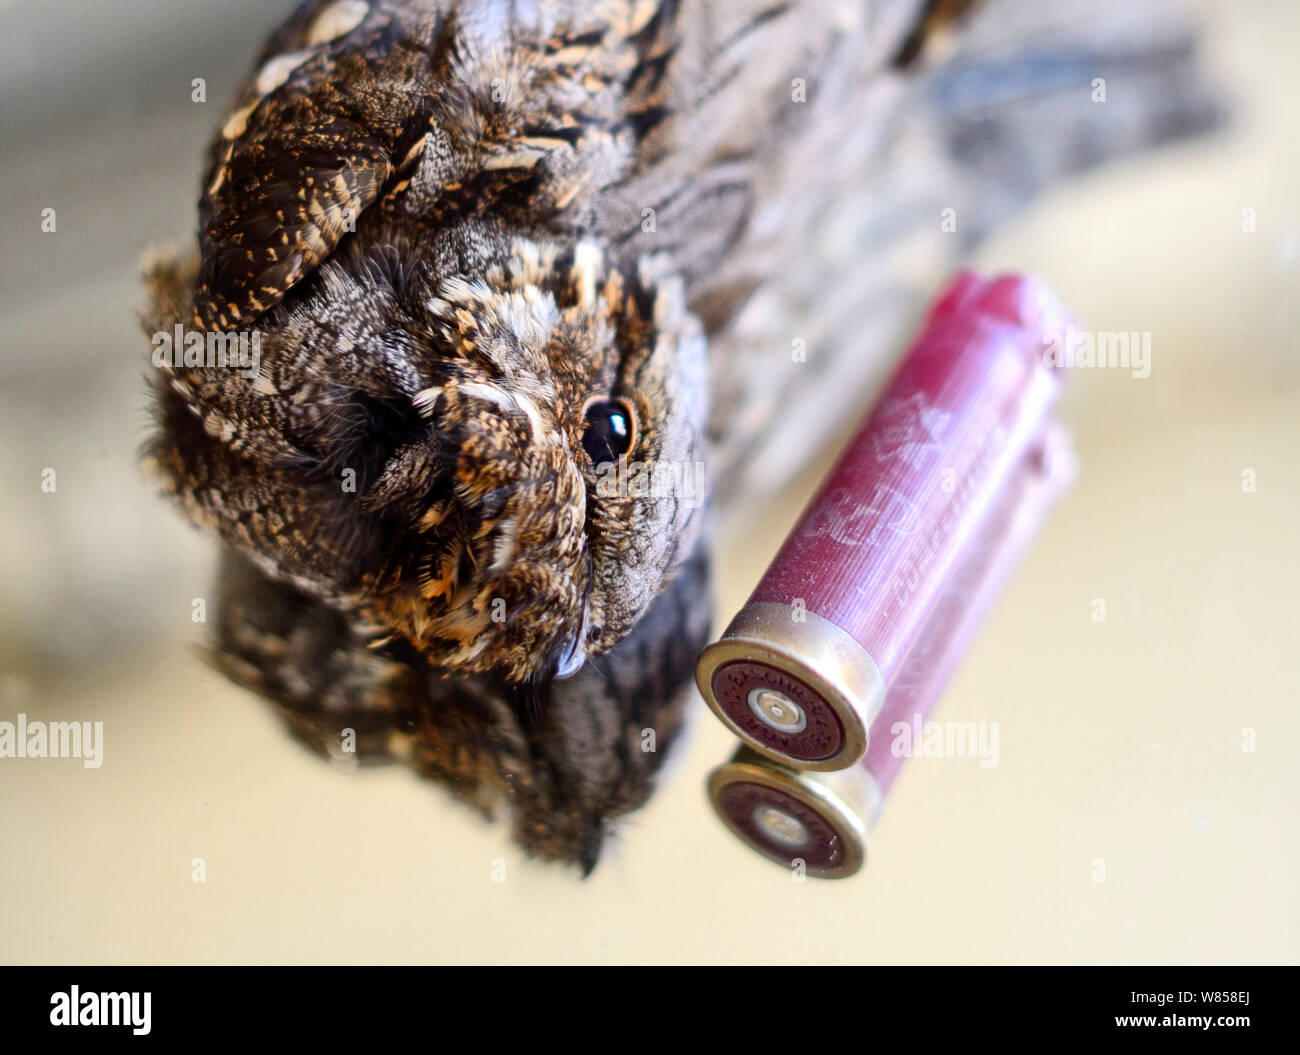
1162,743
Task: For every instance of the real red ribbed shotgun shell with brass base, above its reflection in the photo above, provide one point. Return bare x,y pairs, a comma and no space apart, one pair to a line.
805,666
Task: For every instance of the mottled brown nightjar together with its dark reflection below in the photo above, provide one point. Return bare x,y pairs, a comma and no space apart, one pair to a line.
492,250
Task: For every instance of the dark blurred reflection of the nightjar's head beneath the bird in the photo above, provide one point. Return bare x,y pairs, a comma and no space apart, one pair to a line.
561,766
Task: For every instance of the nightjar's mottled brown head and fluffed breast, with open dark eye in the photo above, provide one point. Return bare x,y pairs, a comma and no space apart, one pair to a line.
491,446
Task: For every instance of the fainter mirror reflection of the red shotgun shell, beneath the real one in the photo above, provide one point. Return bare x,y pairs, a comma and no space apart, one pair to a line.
824,819
